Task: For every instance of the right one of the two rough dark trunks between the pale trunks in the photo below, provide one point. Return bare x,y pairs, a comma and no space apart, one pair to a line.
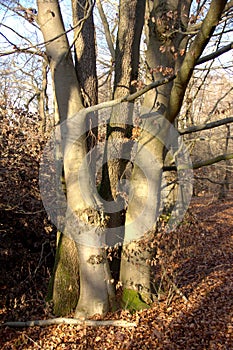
119,130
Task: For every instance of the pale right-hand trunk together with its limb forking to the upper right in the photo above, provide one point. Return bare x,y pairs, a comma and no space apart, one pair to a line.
165,47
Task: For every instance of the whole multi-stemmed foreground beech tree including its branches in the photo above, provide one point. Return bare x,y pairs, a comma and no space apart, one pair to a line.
176,34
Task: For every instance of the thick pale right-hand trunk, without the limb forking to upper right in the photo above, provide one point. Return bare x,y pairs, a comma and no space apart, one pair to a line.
147,177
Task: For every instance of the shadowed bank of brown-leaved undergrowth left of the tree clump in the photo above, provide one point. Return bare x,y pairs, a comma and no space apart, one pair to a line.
26,237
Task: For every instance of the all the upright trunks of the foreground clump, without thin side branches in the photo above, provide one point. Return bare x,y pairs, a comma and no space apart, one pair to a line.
82,277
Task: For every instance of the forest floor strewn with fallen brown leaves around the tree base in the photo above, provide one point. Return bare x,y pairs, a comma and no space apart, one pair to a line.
195,309
